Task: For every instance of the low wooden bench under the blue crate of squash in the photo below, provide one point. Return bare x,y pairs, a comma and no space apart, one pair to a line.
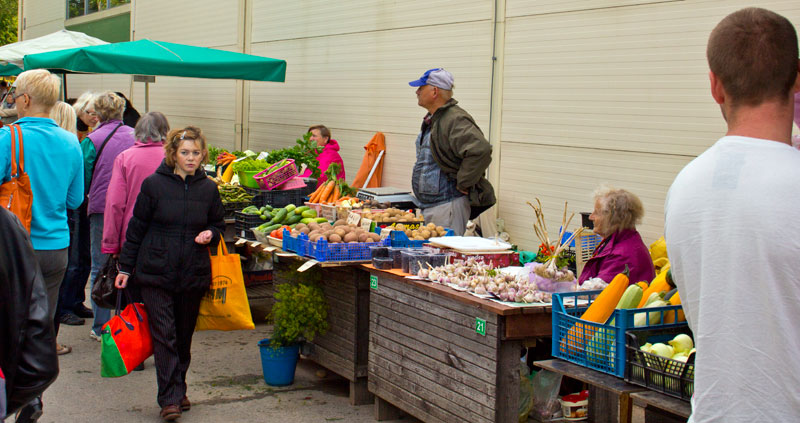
609,396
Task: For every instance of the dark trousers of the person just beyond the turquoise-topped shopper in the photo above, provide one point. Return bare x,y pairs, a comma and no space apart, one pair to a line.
73,287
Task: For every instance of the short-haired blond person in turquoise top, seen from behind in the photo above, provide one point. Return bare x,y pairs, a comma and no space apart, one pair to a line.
54,164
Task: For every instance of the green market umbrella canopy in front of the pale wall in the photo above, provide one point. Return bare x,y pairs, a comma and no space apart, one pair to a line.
149,57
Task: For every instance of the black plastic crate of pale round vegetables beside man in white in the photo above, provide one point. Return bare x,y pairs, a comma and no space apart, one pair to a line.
660,374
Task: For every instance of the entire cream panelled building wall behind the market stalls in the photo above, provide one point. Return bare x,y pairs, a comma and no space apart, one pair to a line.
609,91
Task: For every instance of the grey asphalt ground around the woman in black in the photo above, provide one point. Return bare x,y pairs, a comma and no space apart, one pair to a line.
225,384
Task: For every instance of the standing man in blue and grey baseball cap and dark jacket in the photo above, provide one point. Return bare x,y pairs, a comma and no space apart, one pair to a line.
452,157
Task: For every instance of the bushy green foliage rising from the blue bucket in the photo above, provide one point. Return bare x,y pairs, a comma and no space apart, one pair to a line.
300,311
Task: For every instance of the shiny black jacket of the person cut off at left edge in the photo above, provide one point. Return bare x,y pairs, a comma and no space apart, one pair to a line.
27,343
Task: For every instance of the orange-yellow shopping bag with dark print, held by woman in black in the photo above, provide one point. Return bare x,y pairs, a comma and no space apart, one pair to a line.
225,306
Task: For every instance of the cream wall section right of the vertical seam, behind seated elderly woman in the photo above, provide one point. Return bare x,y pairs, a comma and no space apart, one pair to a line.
605,92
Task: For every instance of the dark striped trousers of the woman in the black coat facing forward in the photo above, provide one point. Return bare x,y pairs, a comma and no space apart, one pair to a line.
172,318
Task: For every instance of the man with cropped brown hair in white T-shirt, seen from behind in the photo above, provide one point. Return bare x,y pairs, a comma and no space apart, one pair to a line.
732,233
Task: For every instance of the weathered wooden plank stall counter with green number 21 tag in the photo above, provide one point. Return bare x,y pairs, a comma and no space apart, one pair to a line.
442,355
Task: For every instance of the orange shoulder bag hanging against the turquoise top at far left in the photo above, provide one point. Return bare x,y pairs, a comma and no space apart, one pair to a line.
16,194
